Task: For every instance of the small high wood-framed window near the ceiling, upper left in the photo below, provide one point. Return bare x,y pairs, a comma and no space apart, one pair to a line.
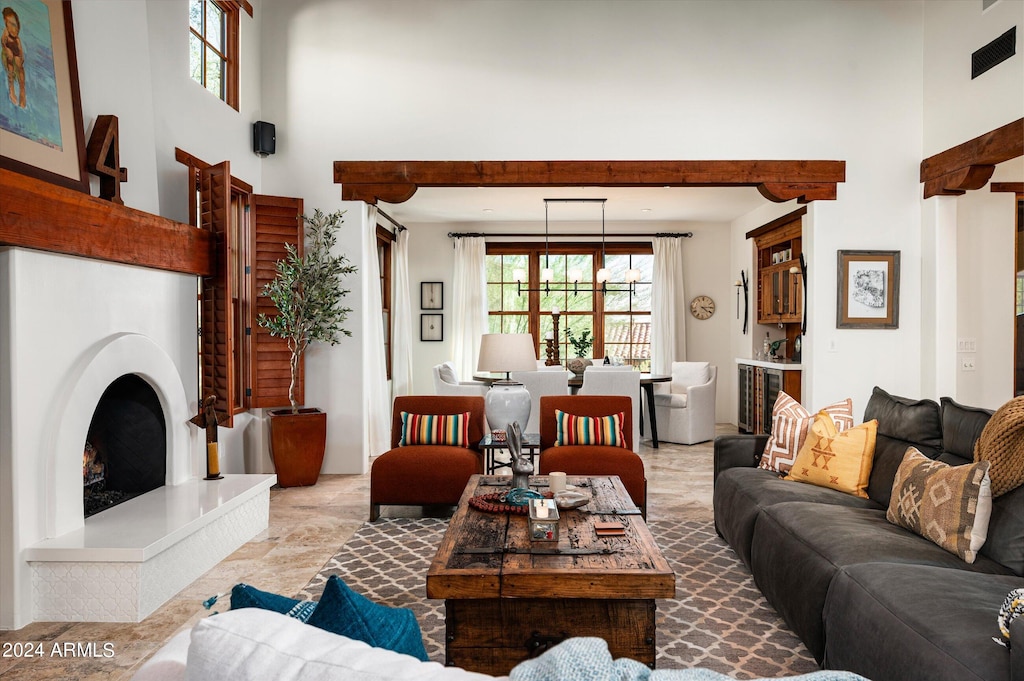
214,47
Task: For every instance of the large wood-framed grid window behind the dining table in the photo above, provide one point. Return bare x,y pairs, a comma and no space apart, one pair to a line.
620,322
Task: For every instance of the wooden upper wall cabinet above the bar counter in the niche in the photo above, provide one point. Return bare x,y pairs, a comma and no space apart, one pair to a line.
781,295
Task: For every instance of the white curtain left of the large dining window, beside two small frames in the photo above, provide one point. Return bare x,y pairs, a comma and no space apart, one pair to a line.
470,315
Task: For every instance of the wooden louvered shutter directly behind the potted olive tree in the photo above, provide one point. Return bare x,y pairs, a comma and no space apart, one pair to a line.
274,223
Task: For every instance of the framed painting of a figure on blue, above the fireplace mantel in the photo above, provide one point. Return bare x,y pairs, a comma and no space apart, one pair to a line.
45,139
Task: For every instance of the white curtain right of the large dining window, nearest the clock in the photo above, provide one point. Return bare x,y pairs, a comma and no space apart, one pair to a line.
668,315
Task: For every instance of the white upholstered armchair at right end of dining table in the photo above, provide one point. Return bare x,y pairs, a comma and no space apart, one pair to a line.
687,415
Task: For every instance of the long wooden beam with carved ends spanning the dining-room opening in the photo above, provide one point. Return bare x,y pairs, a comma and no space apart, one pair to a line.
397,182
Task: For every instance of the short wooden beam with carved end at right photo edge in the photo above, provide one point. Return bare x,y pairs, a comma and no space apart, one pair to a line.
970,166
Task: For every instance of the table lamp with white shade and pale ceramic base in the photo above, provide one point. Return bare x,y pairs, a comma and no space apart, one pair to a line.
507,401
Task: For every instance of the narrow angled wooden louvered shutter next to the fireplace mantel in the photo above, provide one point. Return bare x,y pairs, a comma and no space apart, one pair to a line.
218,342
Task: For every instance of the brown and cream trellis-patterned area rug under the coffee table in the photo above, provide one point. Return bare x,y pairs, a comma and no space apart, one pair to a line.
718,620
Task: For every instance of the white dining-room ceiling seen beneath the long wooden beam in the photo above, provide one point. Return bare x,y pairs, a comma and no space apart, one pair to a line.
624,206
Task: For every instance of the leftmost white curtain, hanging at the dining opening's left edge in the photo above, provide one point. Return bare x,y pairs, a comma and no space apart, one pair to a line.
378,413
